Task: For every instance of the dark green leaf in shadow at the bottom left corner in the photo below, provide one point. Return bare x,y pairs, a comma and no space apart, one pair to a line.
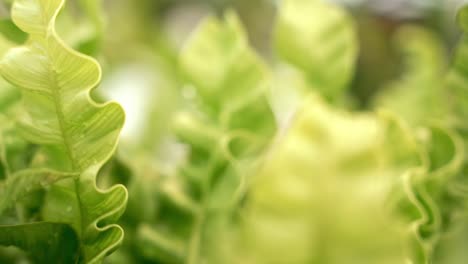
44,242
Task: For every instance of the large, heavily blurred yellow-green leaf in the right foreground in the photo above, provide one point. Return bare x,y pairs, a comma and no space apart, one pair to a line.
324,187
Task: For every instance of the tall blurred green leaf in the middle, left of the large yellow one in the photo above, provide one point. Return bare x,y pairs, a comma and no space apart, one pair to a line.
226,129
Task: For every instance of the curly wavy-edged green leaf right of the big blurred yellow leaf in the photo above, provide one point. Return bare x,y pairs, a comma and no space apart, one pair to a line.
434,208
